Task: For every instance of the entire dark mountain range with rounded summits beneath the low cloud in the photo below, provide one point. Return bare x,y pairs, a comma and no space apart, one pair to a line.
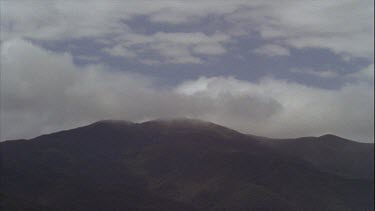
182,164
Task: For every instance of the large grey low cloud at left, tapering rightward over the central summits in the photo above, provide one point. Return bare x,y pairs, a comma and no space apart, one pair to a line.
43,92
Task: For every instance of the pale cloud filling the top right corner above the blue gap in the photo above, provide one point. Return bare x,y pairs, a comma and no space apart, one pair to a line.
343,27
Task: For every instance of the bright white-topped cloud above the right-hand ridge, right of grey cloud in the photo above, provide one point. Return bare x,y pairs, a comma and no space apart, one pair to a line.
300,110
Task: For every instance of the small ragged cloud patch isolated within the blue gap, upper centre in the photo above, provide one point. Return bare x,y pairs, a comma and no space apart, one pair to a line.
177,48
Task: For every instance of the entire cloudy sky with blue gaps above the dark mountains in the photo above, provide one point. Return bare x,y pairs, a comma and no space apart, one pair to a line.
277,68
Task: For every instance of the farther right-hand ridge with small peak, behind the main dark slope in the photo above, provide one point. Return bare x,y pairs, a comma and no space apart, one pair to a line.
330,153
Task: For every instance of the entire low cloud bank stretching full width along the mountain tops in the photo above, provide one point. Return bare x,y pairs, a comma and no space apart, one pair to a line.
43,91
